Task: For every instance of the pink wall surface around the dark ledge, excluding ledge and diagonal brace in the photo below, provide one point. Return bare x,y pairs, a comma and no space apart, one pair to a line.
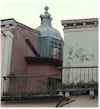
27,77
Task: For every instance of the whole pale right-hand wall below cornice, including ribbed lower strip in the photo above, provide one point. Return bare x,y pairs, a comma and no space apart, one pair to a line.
87,39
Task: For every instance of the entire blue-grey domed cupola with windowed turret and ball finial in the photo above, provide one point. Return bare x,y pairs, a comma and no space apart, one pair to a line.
50,40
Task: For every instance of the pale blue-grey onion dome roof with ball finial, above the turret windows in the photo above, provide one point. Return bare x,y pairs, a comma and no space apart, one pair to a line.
46,29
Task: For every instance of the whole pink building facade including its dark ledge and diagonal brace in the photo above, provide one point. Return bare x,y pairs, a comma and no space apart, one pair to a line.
29,72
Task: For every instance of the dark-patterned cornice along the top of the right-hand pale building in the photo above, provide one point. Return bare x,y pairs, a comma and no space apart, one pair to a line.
80,23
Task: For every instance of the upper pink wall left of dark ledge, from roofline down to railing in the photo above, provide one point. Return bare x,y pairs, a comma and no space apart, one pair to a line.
21,49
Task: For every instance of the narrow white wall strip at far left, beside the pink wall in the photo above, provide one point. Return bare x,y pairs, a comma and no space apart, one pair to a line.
6,45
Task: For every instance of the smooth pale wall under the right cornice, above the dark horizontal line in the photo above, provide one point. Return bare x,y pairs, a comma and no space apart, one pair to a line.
81,38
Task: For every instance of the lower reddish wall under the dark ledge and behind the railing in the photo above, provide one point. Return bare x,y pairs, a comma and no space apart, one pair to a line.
35,79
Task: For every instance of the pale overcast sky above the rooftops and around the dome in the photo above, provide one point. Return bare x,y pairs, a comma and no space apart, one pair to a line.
28,11
